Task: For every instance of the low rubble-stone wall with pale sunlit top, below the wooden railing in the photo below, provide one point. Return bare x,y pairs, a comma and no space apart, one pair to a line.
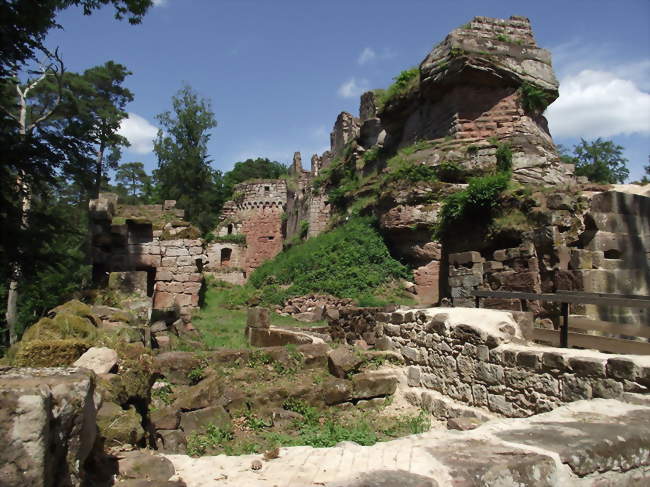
482,358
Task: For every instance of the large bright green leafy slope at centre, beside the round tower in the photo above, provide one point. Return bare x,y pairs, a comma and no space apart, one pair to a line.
345,262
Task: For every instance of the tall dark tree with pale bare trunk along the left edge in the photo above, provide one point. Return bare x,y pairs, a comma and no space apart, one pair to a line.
32,148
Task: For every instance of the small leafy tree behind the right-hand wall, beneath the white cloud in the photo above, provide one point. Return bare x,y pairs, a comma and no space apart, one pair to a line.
601,161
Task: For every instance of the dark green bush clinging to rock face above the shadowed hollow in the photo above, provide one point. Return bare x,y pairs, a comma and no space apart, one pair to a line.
475,202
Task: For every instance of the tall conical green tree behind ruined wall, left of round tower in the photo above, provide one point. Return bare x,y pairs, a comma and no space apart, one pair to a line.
184,173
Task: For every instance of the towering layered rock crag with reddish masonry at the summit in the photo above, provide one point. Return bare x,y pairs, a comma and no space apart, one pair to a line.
487,79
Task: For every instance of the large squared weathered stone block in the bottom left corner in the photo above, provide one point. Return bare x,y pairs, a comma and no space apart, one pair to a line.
47,425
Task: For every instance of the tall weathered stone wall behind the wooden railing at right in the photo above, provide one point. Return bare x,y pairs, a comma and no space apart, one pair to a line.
602,249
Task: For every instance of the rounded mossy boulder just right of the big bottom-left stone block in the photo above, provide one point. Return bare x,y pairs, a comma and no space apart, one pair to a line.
119,426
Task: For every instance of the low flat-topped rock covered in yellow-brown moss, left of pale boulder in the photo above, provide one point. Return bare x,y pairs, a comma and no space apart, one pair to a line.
50,353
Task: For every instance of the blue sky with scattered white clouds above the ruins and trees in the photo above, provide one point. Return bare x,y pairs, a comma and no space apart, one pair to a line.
278,72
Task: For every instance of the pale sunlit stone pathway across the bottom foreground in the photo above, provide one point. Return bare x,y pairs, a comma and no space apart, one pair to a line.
502,452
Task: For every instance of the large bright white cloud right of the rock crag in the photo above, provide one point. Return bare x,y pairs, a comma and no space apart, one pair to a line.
600,104
